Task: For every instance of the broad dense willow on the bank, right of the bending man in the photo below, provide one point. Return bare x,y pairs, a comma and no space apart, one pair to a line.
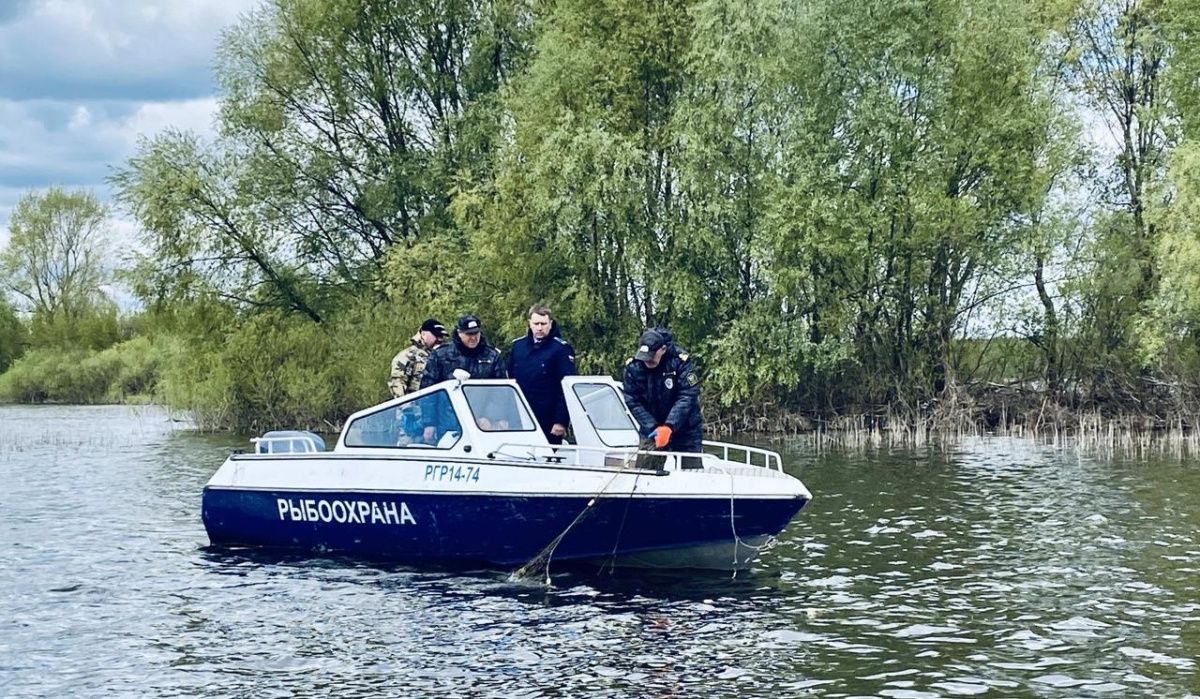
915,153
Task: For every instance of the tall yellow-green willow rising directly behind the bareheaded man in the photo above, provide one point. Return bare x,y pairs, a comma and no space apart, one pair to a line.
583,211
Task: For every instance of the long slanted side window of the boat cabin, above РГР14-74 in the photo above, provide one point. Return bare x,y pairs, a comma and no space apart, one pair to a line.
427,422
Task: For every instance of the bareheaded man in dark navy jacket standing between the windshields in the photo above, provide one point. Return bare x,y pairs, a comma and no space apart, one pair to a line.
539,362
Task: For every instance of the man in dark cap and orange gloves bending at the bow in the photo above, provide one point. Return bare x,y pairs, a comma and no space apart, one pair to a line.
663,393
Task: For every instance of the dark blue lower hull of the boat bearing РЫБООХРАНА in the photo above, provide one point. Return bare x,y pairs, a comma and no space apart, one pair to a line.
490,529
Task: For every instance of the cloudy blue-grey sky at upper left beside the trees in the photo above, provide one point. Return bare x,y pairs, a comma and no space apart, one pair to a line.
82,80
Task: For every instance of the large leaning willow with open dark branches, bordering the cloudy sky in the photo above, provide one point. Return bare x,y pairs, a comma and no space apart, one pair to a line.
345,129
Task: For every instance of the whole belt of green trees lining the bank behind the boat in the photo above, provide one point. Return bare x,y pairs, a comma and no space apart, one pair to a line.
917,210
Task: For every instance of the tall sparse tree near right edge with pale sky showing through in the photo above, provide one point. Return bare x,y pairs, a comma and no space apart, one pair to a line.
1121,69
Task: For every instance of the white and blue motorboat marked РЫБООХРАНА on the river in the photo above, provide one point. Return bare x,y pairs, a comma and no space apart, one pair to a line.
460,473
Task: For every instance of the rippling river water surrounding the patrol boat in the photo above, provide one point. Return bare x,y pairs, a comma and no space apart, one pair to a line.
1000,567
